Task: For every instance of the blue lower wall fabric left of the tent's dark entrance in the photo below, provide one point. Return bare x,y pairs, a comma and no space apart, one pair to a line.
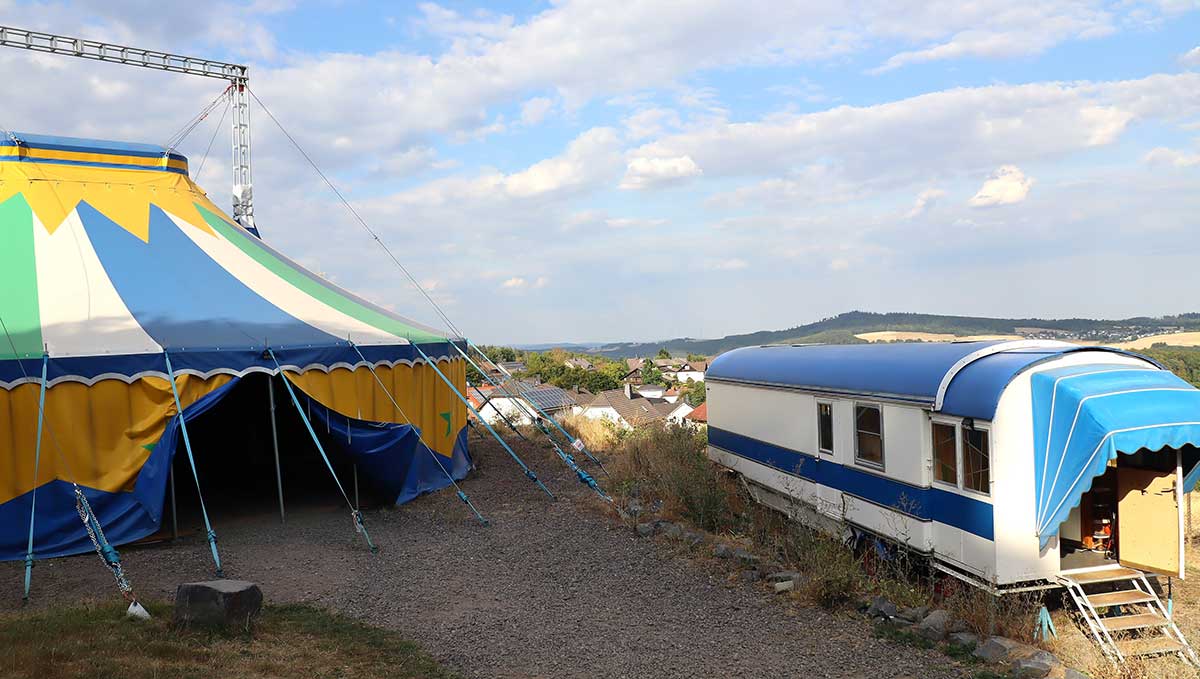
125,516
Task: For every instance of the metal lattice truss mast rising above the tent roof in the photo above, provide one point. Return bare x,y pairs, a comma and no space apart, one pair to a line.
237,75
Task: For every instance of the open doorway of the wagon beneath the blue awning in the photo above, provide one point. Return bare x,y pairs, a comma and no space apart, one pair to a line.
1132,515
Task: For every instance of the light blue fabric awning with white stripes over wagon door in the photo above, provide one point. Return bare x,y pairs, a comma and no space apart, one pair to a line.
1085,416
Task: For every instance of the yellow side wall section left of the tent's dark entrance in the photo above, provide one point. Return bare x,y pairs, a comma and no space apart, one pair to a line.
97,436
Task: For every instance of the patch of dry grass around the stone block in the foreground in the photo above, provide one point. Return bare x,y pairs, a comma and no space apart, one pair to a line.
97,641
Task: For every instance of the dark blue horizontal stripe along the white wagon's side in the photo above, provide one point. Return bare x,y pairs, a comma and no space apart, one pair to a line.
928,504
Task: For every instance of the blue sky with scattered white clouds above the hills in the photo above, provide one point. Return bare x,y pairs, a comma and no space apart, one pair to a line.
599,171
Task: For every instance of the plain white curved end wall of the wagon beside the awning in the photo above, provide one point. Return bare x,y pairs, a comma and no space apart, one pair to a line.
1019,557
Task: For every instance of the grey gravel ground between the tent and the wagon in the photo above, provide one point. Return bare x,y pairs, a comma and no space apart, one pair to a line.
550,590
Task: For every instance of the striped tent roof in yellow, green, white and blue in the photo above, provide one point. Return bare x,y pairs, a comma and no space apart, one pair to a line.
110,256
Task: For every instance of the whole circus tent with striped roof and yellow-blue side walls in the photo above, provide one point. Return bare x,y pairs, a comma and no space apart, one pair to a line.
113,261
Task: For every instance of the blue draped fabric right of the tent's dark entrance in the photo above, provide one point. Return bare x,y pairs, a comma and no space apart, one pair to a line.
391,458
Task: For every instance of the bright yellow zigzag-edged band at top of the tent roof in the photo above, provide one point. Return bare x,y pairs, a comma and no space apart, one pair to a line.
124,196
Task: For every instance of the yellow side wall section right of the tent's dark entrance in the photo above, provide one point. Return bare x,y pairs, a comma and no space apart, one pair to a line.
418,390
